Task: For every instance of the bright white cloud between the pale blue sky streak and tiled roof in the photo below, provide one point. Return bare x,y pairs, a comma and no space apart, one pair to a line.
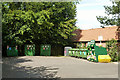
87,18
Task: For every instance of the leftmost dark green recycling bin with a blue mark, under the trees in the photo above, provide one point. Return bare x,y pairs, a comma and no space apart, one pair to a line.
12,51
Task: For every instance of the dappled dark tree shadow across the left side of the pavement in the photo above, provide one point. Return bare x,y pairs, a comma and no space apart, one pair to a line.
11,69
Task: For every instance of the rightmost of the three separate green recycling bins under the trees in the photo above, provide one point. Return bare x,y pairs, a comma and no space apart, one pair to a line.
45,50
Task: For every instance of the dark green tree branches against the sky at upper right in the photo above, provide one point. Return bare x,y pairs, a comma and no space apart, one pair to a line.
113,13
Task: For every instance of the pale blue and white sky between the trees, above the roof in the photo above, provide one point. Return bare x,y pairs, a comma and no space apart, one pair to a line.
87,11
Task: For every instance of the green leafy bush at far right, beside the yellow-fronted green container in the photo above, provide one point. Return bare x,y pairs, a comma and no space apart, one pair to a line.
112,48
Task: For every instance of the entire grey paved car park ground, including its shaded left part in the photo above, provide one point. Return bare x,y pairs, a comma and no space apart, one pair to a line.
56,67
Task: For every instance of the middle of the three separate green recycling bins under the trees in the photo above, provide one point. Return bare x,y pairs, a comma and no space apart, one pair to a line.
30,50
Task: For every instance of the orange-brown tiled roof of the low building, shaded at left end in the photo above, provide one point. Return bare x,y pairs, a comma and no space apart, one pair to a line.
92,34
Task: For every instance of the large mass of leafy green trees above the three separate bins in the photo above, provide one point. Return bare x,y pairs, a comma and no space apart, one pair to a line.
38,22
